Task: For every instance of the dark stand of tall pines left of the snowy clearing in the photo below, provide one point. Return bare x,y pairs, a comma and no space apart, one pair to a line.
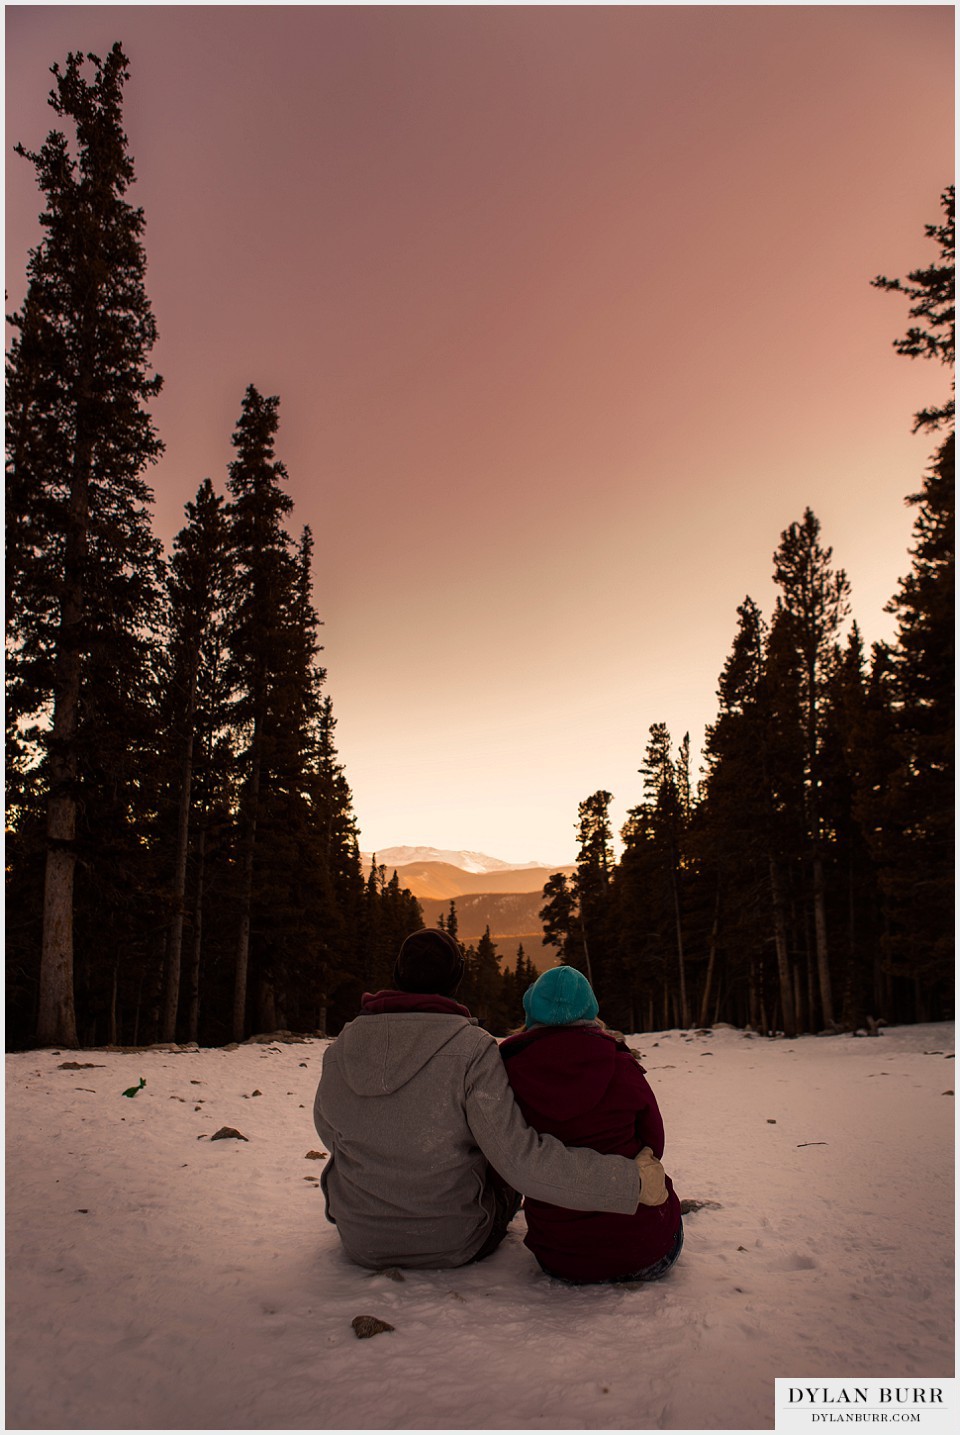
183,857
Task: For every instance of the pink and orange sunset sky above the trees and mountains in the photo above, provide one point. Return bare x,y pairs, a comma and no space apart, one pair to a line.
569,311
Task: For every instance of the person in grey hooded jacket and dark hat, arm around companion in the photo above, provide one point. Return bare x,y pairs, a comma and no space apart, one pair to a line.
415,1110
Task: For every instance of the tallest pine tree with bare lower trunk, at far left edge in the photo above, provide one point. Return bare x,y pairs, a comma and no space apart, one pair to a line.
83,565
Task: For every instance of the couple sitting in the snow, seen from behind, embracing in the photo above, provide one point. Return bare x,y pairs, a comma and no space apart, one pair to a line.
434,1129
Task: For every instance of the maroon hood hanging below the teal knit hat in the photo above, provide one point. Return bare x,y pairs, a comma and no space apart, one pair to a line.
572,1064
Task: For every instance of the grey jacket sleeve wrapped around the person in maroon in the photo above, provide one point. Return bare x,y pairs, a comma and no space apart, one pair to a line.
540,1166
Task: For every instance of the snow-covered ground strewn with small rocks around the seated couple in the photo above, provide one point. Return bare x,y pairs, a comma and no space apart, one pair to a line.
159,1279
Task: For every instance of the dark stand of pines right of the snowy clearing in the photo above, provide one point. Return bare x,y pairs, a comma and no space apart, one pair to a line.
807,883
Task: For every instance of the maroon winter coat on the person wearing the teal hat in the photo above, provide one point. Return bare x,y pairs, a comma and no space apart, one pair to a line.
586,1088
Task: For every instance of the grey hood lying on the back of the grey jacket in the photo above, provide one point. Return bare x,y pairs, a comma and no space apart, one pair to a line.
382,1051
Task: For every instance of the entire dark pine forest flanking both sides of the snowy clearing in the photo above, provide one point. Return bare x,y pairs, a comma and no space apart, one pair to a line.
183,859
